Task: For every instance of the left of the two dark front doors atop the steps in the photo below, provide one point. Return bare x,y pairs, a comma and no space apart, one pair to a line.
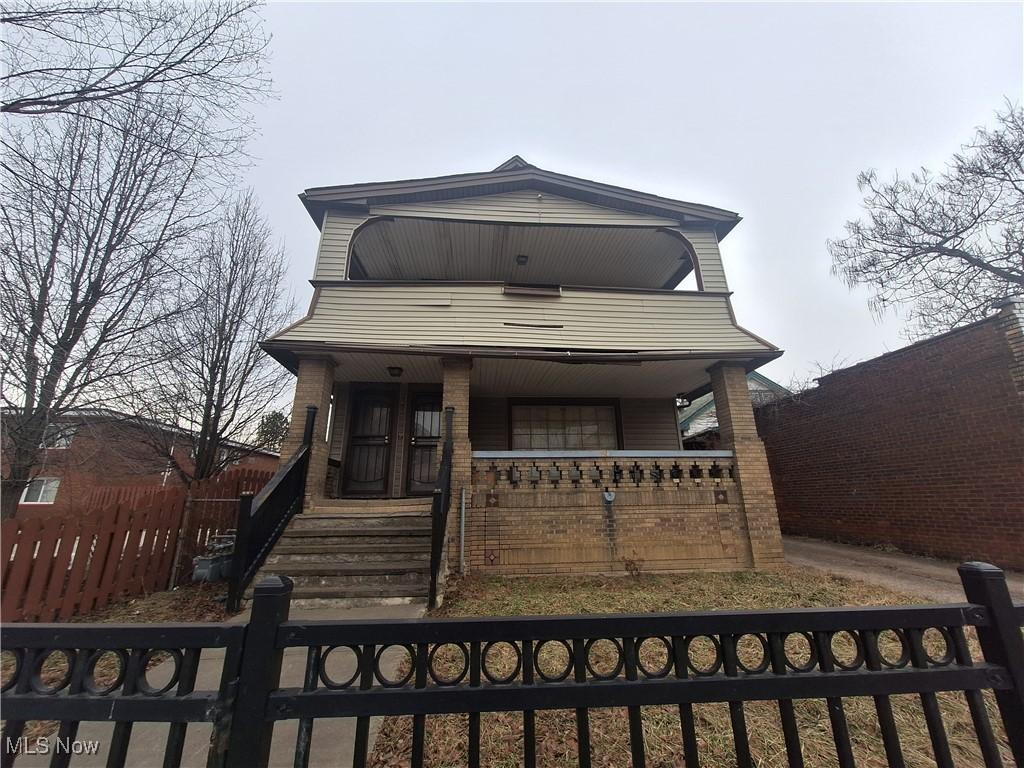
369,456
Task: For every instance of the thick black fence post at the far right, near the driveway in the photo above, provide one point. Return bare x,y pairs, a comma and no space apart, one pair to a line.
1001,643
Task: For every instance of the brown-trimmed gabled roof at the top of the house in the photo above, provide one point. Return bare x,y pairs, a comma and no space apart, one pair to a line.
515,175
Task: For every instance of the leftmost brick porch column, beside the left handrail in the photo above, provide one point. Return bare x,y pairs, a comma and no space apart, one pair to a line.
316,380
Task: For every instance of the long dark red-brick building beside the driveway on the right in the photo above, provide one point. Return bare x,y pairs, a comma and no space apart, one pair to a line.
922,449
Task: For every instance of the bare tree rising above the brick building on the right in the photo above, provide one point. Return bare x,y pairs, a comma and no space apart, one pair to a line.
948,246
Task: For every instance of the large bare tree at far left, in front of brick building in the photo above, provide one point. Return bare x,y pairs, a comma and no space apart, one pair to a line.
93,217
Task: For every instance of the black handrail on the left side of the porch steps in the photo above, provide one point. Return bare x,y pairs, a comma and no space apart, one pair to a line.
263,520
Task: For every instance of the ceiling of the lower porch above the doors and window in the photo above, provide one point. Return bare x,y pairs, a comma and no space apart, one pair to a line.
520,377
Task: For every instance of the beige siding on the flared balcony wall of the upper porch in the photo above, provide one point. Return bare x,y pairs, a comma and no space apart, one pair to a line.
482,316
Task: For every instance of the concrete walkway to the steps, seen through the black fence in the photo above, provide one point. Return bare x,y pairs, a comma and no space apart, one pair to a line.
332,741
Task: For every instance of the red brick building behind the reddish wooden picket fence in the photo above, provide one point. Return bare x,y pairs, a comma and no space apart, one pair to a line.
94,449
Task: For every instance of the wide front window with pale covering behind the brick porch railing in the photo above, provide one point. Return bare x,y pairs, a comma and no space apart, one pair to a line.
565,426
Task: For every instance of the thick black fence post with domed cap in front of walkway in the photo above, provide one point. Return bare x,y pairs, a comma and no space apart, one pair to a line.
249,743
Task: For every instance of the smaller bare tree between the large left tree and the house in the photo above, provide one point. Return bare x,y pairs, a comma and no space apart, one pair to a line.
217,383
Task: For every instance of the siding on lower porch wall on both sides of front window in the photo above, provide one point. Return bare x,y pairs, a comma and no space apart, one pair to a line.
649,424
